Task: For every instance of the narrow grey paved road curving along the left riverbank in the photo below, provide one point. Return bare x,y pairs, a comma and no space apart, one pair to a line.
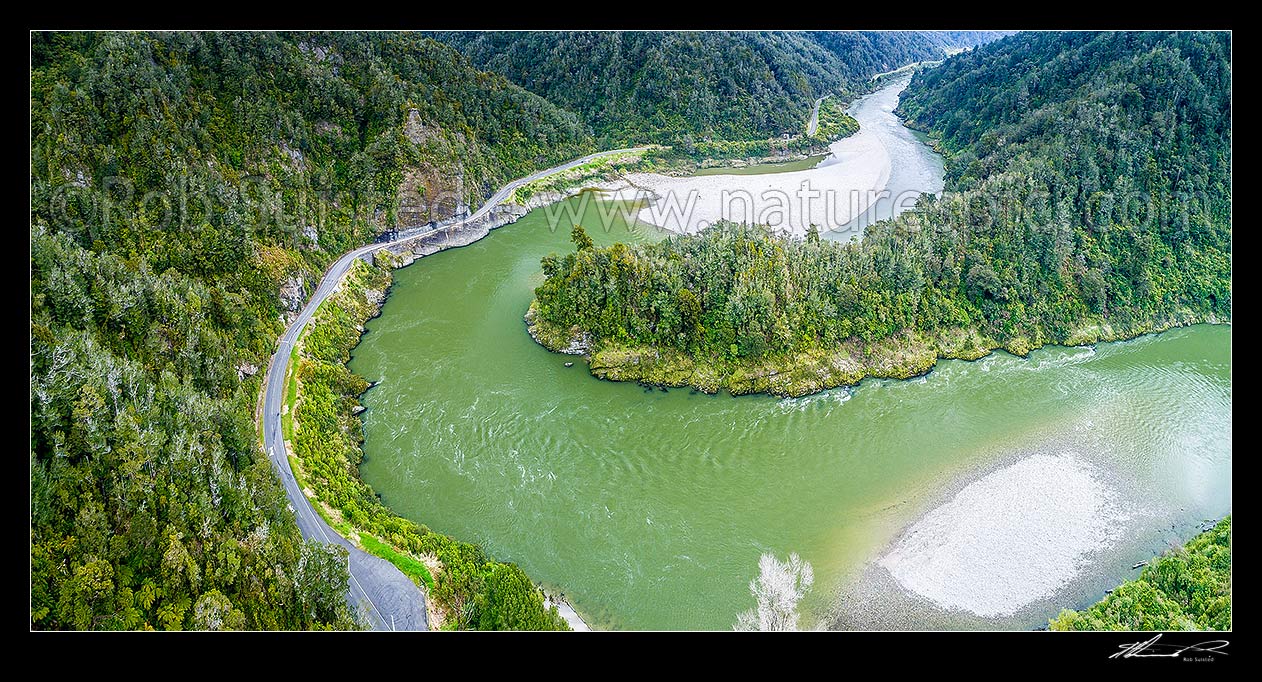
389,599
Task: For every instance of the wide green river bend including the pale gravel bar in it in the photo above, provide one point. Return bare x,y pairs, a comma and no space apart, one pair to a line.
649,510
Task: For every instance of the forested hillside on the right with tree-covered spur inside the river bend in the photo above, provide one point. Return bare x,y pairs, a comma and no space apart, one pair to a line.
1090,198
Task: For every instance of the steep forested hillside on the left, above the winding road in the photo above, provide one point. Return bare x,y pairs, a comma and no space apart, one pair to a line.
179,182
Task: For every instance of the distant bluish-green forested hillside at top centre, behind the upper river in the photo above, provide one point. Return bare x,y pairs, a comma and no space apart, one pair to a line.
672,88
